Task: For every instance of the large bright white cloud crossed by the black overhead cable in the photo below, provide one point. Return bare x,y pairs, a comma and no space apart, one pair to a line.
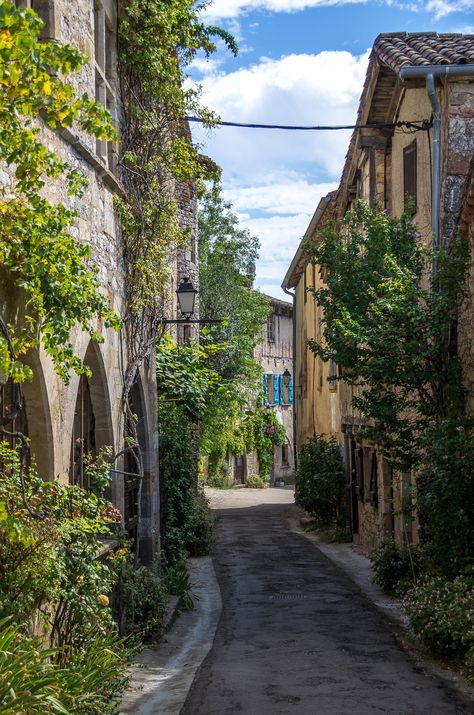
297,89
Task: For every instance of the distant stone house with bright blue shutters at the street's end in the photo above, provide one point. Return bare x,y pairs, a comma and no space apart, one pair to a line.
275,354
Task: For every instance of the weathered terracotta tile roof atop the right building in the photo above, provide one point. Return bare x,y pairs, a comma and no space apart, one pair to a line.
404,49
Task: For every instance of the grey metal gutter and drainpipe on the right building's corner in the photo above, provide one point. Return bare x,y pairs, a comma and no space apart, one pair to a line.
429,73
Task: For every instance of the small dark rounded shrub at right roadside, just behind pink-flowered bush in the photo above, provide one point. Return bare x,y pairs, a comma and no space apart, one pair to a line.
394,567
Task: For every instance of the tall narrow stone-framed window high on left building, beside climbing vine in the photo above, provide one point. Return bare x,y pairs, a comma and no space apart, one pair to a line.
105,63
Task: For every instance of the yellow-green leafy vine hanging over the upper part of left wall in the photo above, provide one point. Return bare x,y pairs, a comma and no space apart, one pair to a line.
37,253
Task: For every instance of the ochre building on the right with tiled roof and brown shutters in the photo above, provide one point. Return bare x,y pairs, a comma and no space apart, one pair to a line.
426,80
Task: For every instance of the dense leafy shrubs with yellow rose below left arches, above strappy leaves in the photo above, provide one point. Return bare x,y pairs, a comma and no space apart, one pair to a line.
48,565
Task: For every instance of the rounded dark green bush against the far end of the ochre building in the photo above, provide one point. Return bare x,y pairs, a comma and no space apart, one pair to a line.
320,480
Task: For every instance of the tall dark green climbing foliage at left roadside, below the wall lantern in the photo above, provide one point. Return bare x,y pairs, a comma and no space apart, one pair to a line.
187,527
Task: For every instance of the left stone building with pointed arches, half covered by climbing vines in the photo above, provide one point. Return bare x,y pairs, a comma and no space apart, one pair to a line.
65,422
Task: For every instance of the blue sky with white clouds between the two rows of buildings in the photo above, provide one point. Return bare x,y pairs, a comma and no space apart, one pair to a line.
304,62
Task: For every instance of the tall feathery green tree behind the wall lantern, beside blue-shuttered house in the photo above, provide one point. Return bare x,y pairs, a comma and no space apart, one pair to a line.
227,256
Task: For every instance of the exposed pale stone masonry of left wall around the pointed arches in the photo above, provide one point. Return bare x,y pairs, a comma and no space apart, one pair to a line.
50,404
